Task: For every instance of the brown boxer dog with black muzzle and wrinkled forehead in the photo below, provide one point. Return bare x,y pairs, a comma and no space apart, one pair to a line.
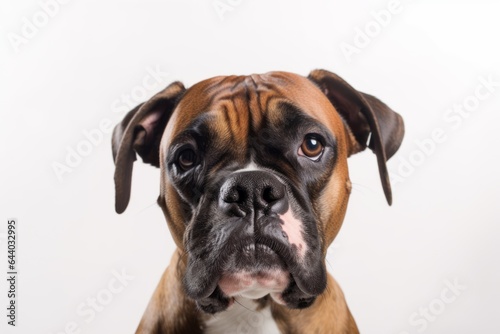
254,187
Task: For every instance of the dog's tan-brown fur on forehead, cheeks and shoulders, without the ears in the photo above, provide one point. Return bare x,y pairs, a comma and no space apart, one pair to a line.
229,93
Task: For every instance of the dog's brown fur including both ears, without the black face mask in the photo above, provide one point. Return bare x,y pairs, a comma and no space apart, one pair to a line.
237,104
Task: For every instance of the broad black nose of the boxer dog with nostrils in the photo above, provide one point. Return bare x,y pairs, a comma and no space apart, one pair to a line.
245,191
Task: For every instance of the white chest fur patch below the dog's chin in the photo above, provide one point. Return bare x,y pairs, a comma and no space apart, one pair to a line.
242,318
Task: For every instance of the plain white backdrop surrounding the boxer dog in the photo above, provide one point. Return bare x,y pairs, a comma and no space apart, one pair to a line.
392,262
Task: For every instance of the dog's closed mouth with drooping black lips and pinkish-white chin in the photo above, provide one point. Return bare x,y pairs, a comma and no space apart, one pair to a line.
255,270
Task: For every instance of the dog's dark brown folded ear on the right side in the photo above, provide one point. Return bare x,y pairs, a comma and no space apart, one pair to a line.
367,117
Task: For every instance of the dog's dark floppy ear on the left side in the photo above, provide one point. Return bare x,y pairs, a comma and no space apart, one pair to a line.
140,132
